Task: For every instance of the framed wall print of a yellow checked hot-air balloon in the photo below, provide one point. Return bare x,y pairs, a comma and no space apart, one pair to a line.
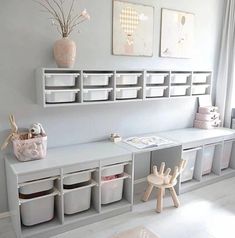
132,29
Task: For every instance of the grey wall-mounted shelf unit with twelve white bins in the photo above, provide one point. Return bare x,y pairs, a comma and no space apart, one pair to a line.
67,87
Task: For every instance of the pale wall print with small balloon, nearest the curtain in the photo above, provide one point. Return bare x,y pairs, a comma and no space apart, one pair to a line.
177,34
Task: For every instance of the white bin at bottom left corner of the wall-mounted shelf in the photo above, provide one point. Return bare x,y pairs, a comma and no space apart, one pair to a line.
60,96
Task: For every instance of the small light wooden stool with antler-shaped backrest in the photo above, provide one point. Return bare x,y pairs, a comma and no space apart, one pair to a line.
162,181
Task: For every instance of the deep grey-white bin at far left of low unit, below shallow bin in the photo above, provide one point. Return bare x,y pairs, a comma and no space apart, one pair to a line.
37,211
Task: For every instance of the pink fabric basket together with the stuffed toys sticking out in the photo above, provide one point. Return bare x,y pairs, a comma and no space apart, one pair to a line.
29,145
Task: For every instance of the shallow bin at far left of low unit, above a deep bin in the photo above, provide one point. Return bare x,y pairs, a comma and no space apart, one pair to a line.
36,187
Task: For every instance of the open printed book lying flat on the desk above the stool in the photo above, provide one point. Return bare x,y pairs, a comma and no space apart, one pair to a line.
147,142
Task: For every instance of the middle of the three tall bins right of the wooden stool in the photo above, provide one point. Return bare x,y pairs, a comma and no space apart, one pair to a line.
207,159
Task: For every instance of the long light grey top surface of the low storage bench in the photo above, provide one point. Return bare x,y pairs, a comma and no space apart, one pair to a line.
96,151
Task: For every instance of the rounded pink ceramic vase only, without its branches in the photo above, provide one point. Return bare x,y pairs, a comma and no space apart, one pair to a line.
65,52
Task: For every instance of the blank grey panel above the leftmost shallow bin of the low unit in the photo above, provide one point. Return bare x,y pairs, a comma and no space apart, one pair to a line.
38,175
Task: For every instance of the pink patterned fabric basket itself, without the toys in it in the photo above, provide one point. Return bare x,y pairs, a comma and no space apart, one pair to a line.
30,149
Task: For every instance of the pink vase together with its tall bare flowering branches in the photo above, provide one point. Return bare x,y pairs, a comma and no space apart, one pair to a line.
65,22
